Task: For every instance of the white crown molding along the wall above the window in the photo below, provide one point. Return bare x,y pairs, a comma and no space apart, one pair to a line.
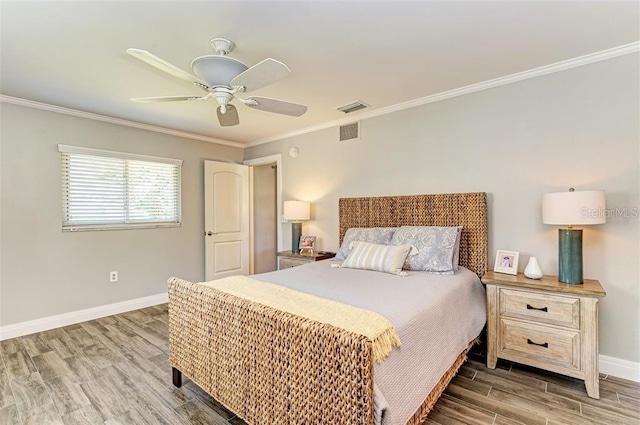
112,120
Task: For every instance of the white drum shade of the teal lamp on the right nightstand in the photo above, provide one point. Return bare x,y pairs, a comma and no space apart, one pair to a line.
574,208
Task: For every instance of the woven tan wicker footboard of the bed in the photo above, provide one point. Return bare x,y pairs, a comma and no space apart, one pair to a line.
247,355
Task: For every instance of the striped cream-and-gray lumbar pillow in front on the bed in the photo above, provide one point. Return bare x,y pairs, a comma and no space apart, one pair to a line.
378,258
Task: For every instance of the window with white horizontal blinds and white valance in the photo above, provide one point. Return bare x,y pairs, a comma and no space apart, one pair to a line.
104,190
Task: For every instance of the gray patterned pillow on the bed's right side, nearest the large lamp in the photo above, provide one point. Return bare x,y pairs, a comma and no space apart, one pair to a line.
436,246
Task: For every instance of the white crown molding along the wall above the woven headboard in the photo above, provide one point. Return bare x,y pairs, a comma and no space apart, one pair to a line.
485,85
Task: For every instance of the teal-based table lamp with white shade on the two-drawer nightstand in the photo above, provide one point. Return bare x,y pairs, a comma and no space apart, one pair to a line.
572,208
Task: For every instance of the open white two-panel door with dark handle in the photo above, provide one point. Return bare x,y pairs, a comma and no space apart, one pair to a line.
226,210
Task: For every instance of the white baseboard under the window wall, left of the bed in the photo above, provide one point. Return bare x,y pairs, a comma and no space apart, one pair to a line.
66,319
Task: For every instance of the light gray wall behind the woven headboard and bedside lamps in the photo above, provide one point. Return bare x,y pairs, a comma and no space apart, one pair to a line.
577,128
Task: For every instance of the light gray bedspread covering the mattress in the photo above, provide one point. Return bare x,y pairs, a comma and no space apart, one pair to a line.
435,316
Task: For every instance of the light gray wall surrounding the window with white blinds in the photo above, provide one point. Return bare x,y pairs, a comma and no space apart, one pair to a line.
44,272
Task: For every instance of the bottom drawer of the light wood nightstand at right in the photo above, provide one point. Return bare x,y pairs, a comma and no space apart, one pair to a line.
539,345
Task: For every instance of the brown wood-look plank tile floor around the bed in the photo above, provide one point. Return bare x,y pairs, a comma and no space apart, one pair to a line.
115,371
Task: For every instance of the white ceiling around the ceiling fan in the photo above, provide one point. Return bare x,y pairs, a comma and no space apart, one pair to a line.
72,53
